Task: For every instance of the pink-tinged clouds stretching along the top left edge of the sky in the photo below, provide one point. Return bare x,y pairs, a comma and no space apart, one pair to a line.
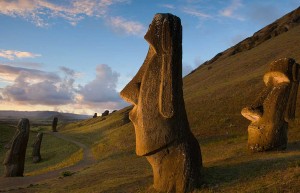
37,11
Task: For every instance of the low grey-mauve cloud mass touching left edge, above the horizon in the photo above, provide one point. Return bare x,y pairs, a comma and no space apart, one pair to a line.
30,86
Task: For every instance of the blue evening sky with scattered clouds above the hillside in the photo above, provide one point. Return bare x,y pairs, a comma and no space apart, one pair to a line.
76,55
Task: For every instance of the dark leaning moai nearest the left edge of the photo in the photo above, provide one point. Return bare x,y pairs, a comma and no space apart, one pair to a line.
15,156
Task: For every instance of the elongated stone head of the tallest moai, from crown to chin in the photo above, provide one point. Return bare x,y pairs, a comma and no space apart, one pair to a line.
156,90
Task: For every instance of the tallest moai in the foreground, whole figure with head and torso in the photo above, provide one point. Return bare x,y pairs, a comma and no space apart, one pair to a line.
162,130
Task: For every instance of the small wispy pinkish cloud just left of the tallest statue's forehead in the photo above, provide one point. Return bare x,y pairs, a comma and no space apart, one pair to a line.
120,24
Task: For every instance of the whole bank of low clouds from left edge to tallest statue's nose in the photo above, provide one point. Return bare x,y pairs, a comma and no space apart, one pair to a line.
58,89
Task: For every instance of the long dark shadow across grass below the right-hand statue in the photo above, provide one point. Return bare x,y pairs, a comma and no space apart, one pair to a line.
258,164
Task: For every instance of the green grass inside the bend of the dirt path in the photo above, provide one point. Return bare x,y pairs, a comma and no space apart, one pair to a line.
56,153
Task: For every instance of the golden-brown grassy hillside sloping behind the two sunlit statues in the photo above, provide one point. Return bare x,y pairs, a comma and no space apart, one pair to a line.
214,95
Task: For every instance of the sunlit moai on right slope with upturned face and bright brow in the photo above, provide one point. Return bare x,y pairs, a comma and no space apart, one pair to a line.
274,107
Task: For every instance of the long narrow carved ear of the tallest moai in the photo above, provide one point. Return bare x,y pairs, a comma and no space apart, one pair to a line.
166,106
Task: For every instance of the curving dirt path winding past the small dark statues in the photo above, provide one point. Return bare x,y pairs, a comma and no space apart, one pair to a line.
18,182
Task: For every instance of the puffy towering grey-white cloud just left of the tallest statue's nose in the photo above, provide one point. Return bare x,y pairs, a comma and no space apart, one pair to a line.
103,88
